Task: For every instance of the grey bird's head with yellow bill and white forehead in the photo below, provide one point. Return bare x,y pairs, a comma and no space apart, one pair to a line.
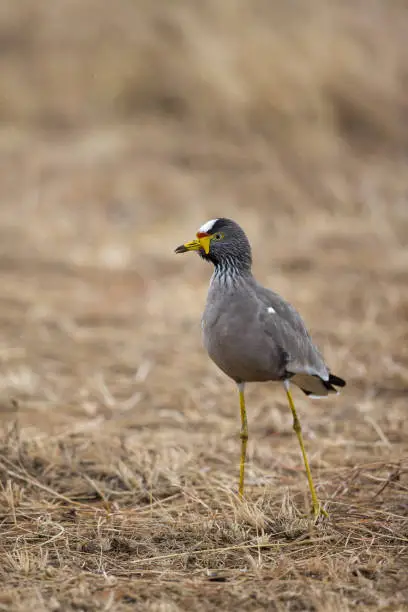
222,242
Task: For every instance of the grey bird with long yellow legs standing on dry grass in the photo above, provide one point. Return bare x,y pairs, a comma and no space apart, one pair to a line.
254,335
